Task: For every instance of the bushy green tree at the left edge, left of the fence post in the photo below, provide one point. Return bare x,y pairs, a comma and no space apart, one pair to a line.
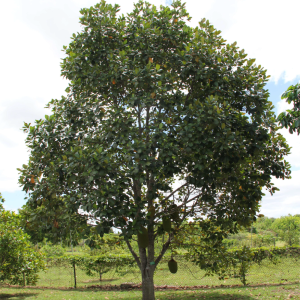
19,262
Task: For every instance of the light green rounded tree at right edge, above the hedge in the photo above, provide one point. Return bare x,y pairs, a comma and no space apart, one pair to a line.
288,229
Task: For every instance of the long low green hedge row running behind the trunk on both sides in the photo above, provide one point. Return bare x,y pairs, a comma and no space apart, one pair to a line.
223,262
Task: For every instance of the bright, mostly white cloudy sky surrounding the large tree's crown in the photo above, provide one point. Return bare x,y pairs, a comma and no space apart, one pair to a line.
33,33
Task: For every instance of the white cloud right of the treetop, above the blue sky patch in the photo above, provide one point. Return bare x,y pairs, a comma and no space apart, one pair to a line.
267,30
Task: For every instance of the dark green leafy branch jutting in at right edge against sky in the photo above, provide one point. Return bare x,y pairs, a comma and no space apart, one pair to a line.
291,118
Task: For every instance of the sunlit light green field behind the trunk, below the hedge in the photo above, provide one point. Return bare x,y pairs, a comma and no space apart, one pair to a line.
287,271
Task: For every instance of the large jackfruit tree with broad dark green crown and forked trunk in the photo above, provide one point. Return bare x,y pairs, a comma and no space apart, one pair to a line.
162,122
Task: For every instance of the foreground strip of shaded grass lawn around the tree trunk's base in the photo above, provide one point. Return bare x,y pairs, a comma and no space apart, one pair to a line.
283,291
